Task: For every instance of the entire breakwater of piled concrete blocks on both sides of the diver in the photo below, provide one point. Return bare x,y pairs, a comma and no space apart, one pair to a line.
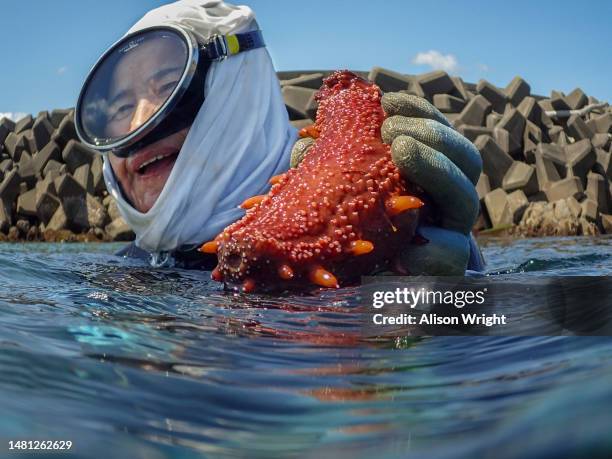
546,160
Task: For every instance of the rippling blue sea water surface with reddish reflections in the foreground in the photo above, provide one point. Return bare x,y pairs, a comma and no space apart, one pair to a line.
163,363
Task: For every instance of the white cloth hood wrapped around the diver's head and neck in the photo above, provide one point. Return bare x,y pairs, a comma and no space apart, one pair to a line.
239,139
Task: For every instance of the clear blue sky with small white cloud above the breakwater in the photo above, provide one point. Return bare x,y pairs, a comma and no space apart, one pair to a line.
47,47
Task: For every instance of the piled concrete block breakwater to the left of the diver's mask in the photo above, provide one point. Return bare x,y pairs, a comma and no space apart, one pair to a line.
51,185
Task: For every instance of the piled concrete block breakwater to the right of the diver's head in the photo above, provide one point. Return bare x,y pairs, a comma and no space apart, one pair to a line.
546,160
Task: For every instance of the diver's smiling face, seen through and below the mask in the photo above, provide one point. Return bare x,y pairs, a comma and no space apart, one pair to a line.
141,83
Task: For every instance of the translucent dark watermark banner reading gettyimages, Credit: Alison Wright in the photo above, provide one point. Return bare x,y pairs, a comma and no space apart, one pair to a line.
492,305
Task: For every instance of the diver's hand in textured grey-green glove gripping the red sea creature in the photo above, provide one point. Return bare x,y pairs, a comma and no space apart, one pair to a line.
430,153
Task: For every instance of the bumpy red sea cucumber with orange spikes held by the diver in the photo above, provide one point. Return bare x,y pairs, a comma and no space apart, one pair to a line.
343,195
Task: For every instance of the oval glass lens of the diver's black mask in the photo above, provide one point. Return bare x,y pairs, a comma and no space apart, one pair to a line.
130,85
